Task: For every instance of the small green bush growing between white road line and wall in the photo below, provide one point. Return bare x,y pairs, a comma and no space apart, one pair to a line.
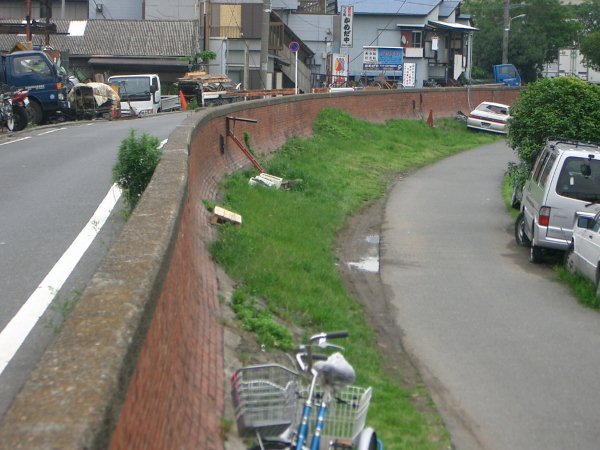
138,157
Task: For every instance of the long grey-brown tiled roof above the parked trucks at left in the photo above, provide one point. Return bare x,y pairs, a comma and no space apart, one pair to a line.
121,38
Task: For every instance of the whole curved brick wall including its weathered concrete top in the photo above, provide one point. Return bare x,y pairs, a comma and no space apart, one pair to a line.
139,363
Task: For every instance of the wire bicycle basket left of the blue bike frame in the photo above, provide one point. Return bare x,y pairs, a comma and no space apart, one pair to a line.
264,399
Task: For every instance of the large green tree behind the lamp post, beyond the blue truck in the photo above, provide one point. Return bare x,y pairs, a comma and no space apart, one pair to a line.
533,41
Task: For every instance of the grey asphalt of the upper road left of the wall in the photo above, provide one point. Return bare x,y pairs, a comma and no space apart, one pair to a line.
52,179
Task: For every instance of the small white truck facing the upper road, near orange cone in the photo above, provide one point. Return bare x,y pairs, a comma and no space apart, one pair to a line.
142,95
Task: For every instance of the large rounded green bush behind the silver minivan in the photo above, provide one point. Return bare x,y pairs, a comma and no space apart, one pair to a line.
563,107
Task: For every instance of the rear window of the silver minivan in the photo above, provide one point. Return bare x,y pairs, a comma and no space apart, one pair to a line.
580,179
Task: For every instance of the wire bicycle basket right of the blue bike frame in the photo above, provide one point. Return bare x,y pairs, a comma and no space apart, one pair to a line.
346,413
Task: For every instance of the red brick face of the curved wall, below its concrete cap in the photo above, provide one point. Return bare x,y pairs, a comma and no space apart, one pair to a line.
175,397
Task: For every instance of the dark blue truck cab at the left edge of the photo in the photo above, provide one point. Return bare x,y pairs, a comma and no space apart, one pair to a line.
35,72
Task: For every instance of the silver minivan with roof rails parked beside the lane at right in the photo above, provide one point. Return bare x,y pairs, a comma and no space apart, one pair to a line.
565,179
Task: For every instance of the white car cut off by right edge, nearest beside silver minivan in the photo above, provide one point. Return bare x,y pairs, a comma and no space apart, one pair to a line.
583,254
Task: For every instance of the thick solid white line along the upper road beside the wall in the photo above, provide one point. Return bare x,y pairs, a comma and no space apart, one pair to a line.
17,330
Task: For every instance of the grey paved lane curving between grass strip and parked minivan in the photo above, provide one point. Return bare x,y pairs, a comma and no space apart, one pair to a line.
510,356
